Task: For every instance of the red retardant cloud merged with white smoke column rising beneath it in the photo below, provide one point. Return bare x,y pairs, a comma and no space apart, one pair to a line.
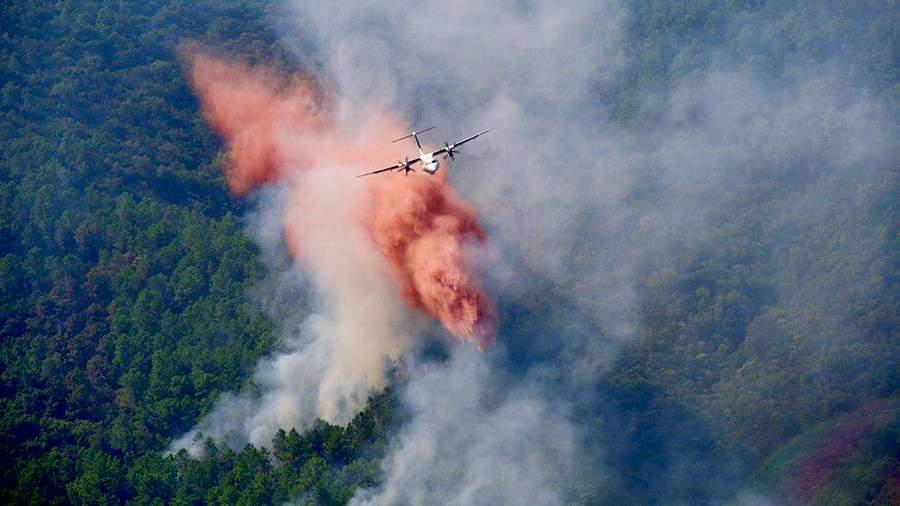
379,251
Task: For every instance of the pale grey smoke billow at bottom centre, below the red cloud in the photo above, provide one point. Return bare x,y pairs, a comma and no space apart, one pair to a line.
473,440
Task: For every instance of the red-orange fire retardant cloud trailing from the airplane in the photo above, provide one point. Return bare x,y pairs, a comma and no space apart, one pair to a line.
275,130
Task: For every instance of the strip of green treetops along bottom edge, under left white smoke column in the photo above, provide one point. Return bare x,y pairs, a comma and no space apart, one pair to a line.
322,466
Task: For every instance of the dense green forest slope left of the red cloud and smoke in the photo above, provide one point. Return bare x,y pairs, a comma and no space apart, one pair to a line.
123,271
